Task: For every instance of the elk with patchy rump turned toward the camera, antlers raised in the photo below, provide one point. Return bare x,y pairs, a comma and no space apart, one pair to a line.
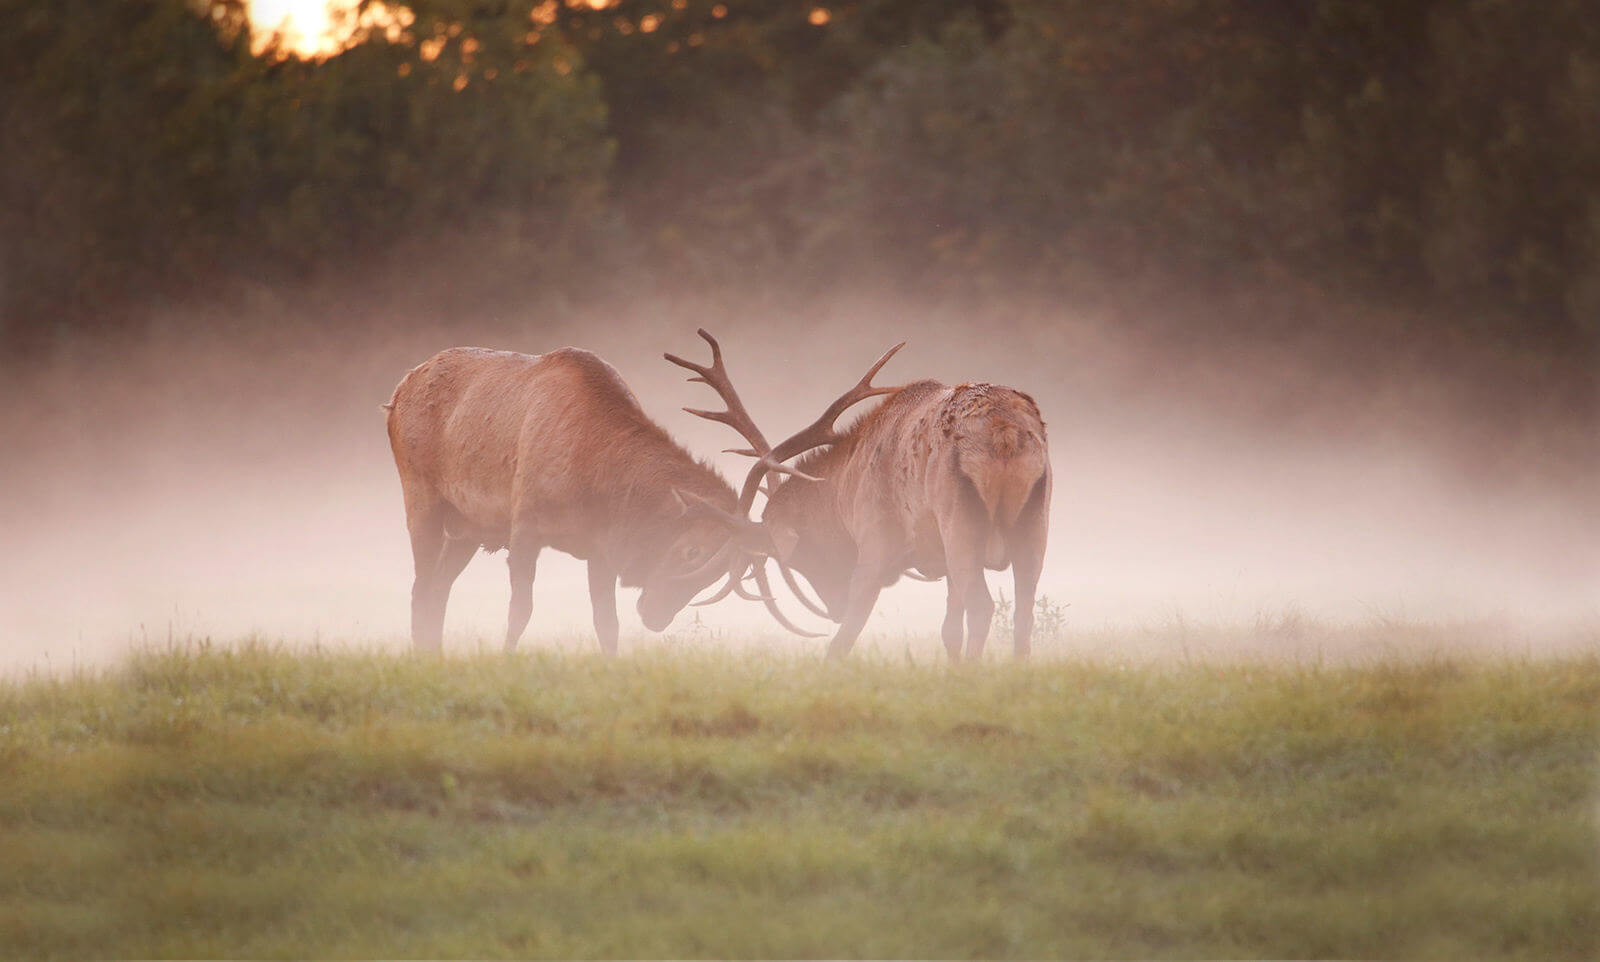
938,481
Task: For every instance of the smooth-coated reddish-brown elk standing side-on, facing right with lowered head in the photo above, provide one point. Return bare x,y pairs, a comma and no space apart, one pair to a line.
530,452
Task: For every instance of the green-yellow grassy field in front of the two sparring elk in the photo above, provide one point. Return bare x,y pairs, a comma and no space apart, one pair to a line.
265,803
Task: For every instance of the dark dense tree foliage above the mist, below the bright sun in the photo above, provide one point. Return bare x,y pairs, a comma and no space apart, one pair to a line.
1436,154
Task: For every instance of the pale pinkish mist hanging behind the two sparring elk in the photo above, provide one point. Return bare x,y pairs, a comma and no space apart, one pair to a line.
230,486
